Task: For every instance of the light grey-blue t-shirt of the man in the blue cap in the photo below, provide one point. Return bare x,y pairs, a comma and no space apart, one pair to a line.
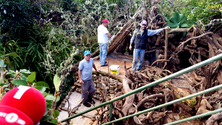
86,69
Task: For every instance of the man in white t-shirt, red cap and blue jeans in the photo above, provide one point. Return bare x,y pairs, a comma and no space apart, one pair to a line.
103,35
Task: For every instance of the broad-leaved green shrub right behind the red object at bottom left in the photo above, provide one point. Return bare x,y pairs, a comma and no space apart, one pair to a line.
50,115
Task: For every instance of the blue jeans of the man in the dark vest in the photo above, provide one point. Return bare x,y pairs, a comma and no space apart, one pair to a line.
138,53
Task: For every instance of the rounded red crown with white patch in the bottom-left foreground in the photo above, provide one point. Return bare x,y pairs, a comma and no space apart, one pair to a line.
28,100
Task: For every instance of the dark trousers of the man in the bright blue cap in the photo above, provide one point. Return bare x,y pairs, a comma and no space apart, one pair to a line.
88,90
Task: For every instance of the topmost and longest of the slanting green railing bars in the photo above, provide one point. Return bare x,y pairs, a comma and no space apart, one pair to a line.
198,65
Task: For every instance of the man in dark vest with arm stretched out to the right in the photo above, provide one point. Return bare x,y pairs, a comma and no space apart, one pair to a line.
140,37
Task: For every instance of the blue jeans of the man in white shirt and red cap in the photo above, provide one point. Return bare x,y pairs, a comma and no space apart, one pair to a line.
103,52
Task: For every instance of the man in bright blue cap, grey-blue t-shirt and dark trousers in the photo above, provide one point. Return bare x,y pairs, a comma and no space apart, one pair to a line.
85,78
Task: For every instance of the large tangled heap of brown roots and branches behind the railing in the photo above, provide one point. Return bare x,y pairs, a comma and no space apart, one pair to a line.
173,54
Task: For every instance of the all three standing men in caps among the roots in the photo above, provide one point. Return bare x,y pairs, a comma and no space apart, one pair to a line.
139,39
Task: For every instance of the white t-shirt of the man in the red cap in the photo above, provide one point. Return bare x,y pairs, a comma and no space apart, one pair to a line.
102,34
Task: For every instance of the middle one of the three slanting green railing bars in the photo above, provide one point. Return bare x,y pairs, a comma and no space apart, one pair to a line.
166,104
